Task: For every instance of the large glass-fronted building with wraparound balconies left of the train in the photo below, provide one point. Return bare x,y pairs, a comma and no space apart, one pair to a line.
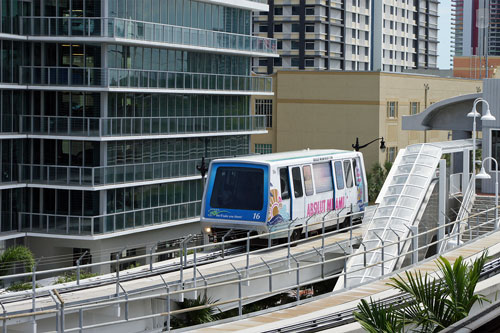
108,106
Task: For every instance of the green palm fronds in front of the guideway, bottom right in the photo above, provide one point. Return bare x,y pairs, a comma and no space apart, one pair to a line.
436,302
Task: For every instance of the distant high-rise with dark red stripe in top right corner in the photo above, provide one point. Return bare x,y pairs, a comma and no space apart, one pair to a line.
476,27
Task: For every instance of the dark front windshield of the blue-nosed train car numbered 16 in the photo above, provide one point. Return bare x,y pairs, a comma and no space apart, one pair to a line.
238,188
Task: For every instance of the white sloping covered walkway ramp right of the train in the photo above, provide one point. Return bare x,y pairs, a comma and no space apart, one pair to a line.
401,200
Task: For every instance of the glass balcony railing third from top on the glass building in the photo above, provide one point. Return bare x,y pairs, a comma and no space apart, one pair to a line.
106,127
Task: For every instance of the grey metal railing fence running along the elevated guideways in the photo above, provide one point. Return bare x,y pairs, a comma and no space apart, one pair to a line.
199,283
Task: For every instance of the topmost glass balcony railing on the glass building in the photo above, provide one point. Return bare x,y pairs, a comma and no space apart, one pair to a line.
144,31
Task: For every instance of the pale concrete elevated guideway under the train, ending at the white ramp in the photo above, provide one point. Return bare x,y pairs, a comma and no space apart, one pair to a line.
139,305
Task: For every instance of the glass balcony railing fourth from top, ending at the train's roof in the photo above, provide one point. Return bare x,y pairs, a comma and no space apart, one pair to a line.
108,175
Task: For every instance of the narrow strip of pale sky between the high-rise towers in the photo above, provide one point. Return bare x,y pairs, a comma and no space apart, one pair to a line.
444,34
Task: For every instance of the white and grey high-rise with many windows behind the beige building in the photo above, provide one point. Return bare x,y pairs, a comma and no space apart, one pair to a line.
388,35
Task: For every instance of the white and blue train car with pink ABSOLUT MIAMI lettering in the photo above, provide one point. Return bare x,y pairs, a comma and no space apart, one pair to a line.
264,193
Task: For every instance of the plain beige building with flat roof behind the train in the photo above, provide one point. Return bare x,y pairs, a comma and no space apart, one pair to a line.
330,109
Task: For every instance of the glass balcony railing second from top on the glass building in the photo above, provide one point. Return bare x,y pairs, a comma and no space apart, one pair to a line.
141,79
